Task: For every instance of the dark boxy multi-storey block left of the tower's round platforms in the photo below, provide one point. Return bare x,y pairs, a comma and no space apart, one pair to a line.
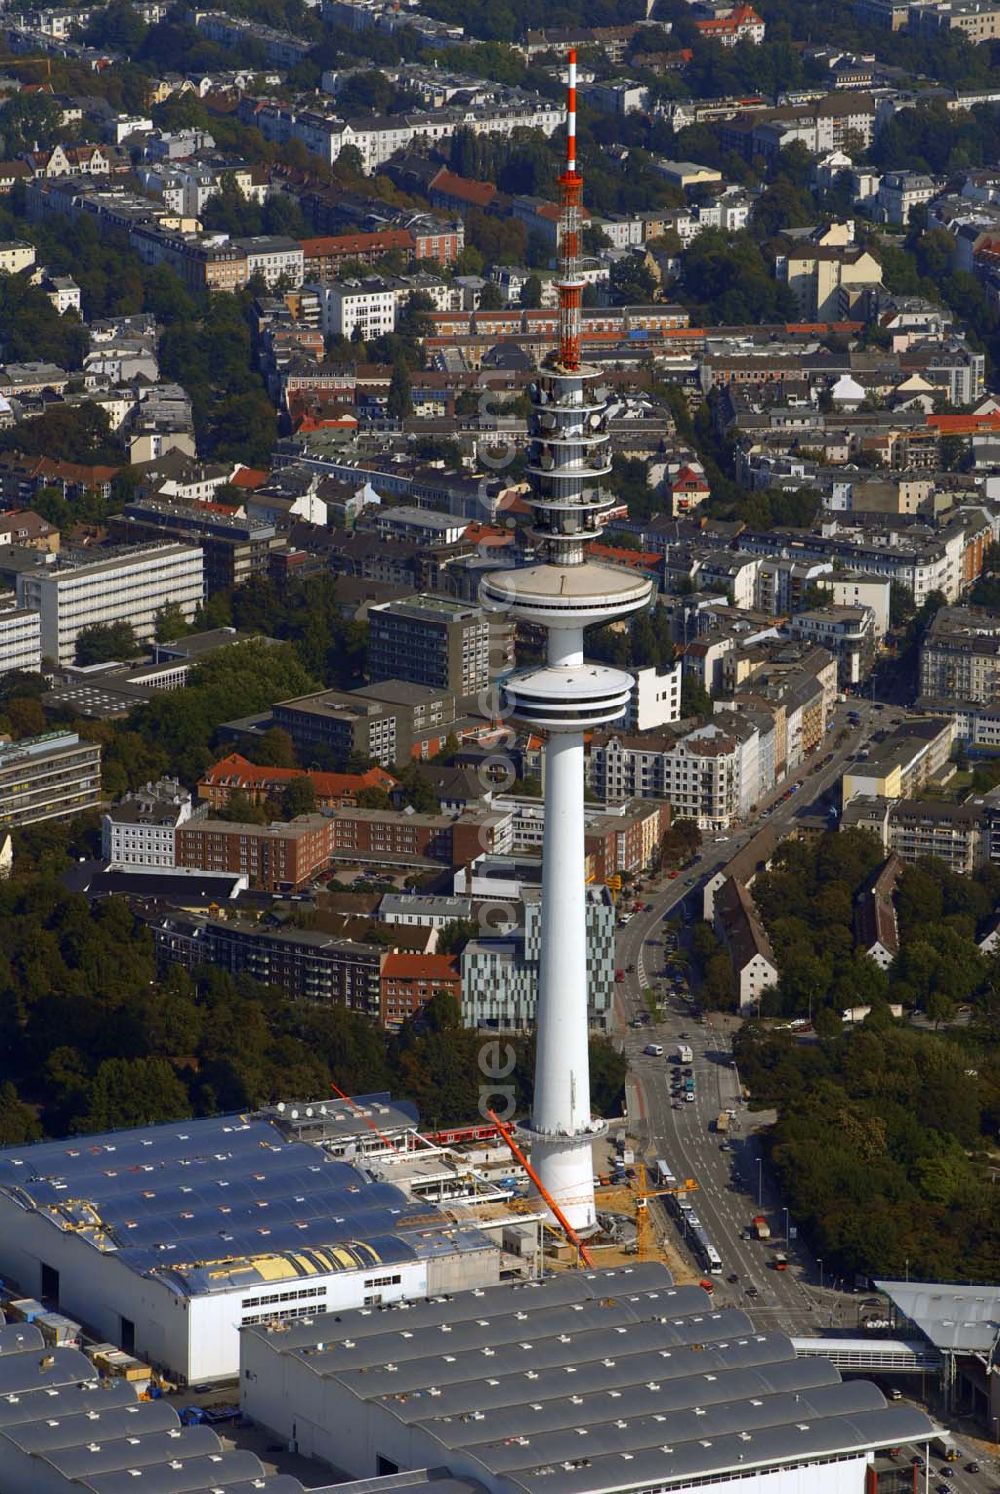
439,643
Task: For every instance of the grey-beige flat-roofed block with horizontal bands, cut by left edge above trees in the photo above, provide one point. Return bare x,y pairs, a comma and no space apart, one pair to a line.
49,778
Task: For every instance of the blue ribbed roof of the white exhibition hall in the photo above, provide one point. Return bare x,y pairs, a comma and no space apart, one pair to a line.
226,1202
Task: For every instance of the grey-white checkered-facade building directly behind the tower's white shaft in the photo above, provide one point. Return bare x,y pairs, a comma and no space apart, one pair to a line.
500,976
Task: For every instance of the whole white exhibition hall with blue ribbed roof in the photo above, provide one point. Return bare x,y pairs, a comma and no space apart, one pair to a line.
168,1239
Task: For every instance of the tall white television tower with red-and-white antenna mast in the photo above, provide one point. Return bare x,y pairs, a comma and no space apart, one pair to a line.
564,594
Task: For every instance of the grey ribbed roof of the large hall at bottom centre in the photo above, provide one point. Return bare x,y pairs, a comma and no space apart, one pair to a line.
594,1381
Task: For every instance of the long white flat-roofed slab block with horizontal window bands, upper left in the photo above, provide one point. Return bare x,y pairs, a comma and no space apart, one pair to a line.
129,586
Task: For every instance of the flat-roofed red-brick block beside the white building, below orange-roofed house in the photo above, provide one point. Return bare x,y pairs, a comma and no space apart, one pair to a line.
274,858
